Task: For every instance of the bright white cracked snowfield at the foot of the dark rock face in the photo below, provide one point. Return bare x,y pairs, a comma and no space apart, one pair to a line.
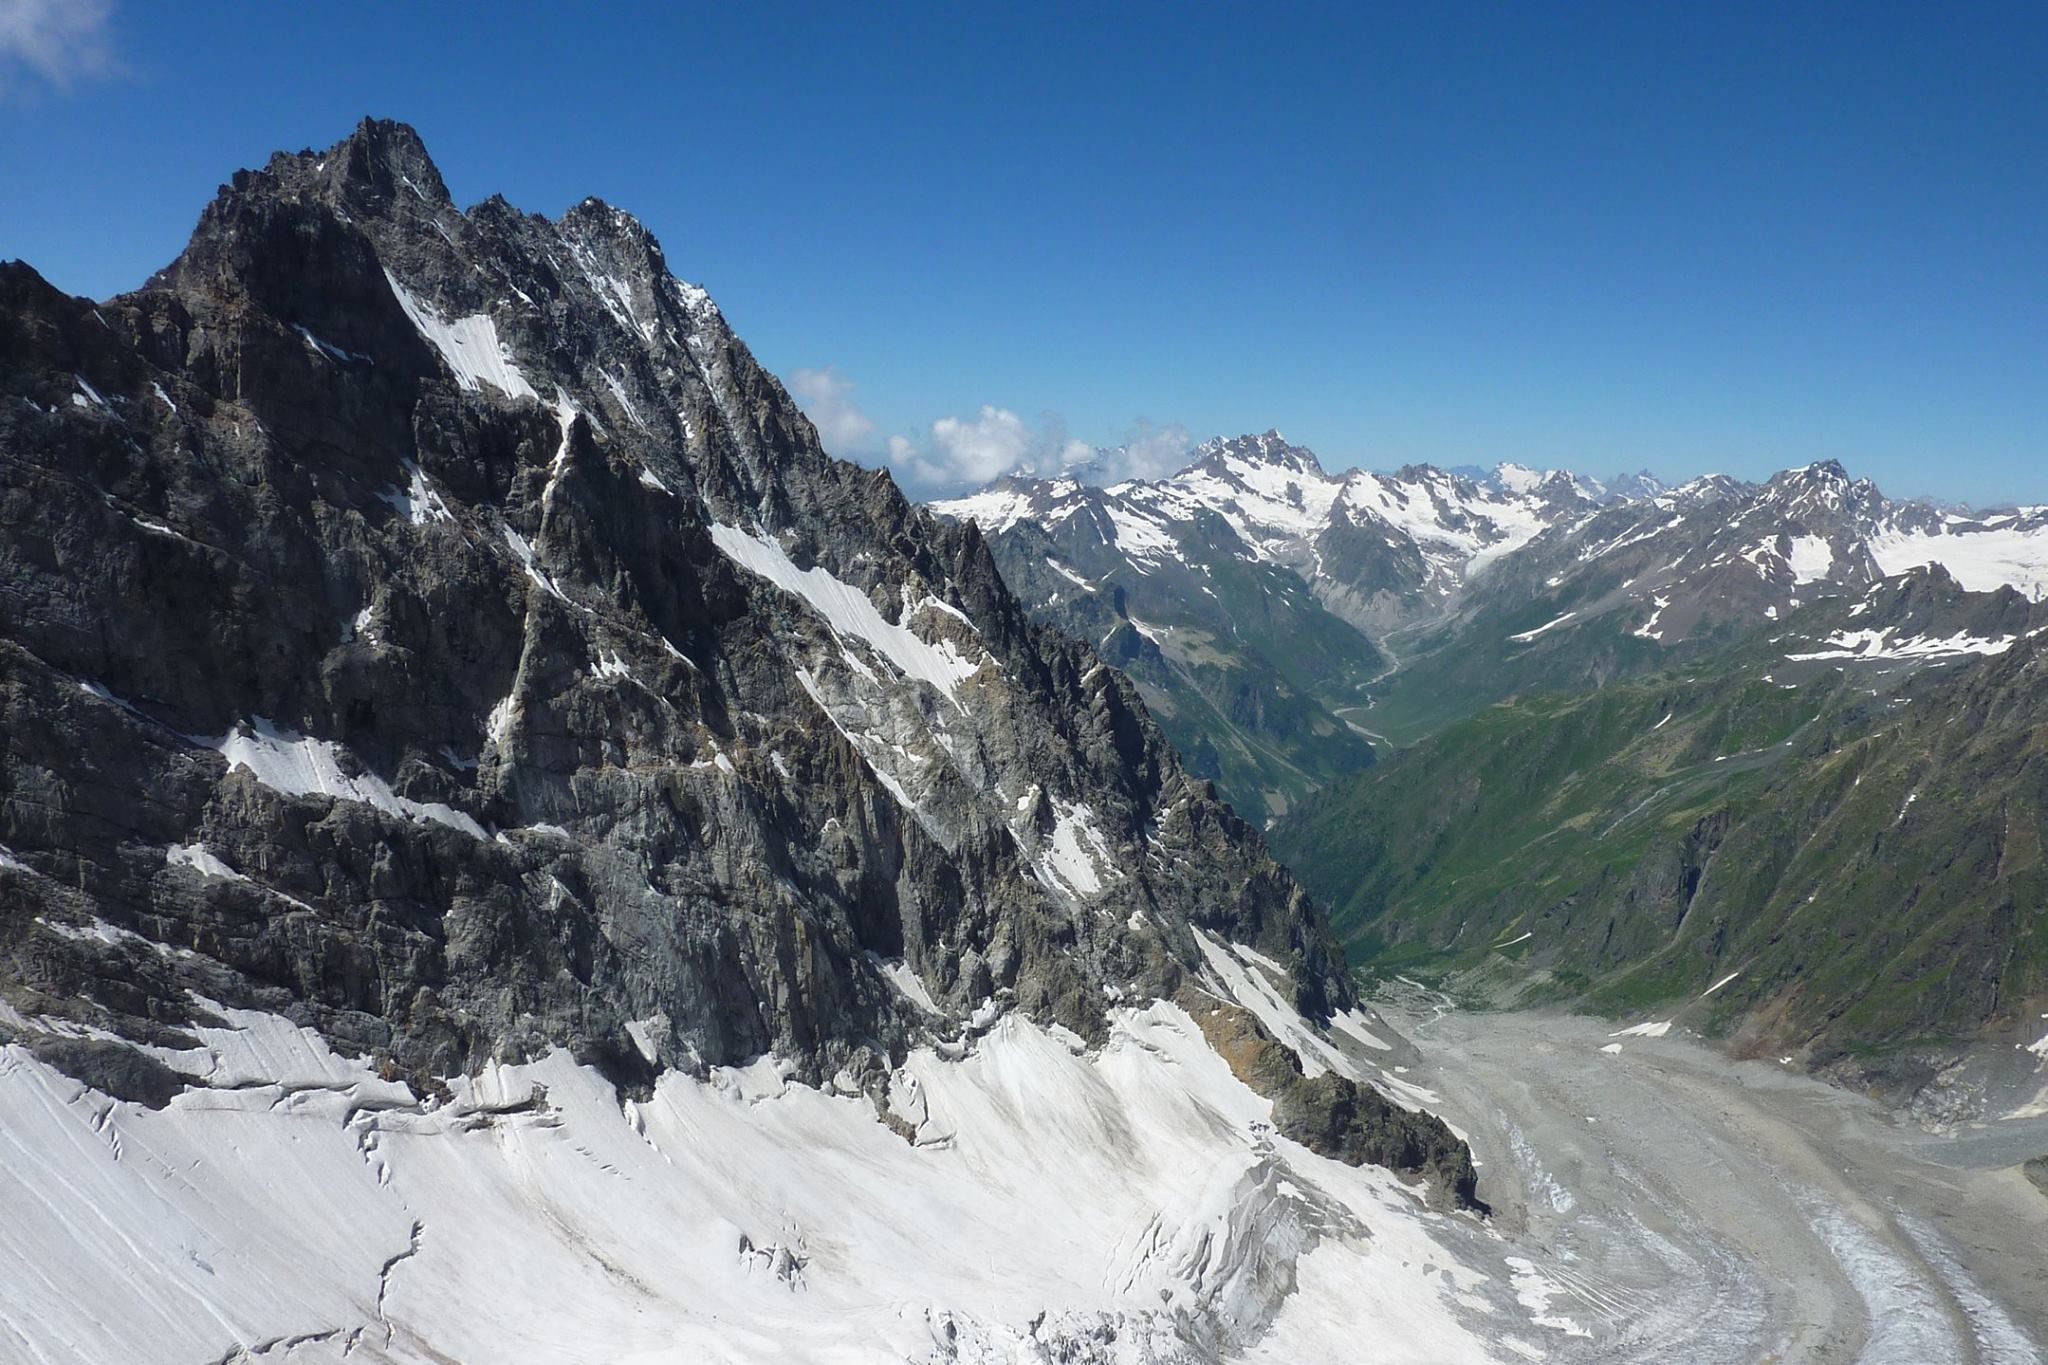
1132,1196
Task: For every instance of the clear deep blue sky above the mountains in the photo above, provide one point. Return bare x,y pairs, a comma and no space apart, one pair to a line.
1682,238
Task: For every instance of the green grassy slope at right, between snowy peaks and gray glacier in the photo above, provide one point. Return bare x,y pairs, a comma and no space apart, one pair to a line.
1869,865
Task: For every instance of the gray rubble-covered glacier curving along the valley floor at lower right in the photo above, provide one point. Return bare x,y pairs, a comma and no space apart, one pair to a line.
1693,1208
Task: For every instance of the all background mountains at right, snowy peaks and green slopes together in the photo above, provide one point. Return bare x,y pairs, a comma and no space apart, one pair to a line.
1601,709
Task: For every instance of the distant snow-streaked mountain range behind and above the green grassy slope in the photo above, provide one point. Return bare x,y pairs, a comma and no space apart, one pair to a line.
1478,588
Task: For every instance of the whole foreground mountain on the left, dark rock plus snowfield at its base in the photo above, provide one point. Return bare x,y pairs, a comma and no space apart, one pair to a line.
474,758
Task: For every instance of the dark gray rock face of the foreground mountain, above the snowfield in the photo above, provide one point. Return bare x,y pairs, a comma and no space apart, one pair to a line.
437,627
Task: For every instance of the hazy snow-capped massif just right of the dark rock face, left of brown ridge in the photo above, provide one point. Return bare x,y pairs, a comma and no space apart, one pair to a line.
1246,592
